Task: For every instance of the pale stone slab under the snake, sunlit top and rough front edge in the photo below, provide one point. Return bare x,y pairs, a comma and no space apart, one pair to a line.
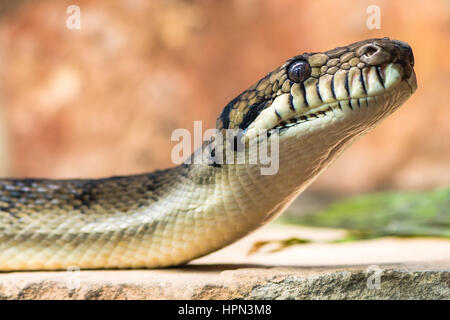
376,269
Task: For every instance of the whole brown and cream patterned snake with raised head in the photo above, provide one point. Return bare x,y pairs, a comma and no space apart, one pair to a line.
316,104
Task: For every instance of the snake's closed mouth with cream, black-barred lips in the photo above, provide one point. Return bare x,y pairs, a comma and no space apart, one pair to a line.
338,97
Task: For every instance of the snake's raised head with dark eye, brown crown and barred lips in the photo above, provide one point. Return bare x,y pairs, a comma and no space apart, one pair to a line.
359,84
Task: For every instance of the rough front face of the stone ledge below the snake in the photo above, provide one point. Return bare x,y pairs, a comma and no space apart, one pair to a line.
228,282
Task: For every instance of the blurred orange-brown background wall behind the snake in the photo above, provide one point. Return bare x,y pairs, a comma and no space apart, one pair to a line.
104,100
